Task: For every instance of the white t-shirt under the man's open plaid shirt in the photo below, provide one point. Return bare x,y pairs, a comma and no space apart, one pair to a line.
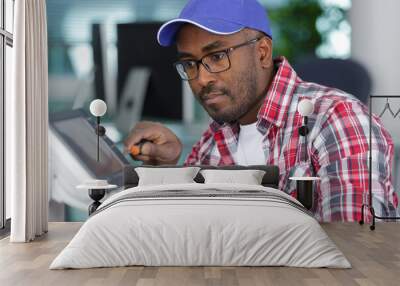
249,150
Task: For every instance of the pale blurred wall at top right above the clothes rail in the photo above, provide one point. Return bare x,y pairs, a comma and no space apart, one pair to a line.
376,41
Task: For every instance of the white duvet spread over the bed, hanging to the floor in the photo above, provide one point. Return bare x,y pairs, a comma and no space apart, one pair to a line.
185,230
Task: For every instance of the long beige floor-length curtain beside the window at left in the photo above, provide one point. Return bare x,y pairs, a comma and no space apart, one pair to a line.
27,123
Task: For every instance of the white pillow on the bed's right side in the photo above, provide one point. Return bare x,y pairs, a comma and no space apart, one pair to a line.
248,177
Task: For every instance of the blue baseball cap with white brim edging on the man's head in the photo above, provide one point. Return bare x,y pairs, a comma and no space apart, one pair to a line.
221,17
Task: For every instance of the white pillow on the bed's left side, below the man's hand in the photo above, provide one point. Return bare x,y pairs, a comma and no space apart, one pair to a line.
164,176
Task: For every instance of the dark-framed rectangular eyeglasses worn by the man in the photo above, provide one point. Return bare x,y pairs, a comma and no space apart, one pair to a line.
214,62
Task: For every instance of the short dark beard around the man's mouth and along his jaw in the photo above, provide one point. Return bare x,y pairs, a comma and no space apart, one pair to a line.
242,96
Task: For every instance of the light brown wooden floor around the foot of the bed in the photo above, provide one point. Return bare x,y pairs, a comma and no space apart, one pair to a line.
374,255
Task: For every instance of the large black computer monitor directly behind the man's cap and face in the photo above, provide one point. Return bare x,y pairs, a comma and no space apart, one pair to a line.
138,48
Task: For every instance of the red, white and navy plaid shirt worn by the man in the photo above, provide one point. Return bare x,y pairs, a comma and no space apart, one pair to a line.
337,146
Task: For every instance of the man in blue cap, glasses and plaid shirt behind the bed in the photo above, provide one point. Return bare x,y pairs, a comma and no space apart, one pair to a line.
225,53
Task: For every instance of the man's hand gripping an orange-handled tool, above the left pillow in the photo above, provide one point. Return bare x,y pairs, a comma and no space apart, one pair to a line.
161,146
